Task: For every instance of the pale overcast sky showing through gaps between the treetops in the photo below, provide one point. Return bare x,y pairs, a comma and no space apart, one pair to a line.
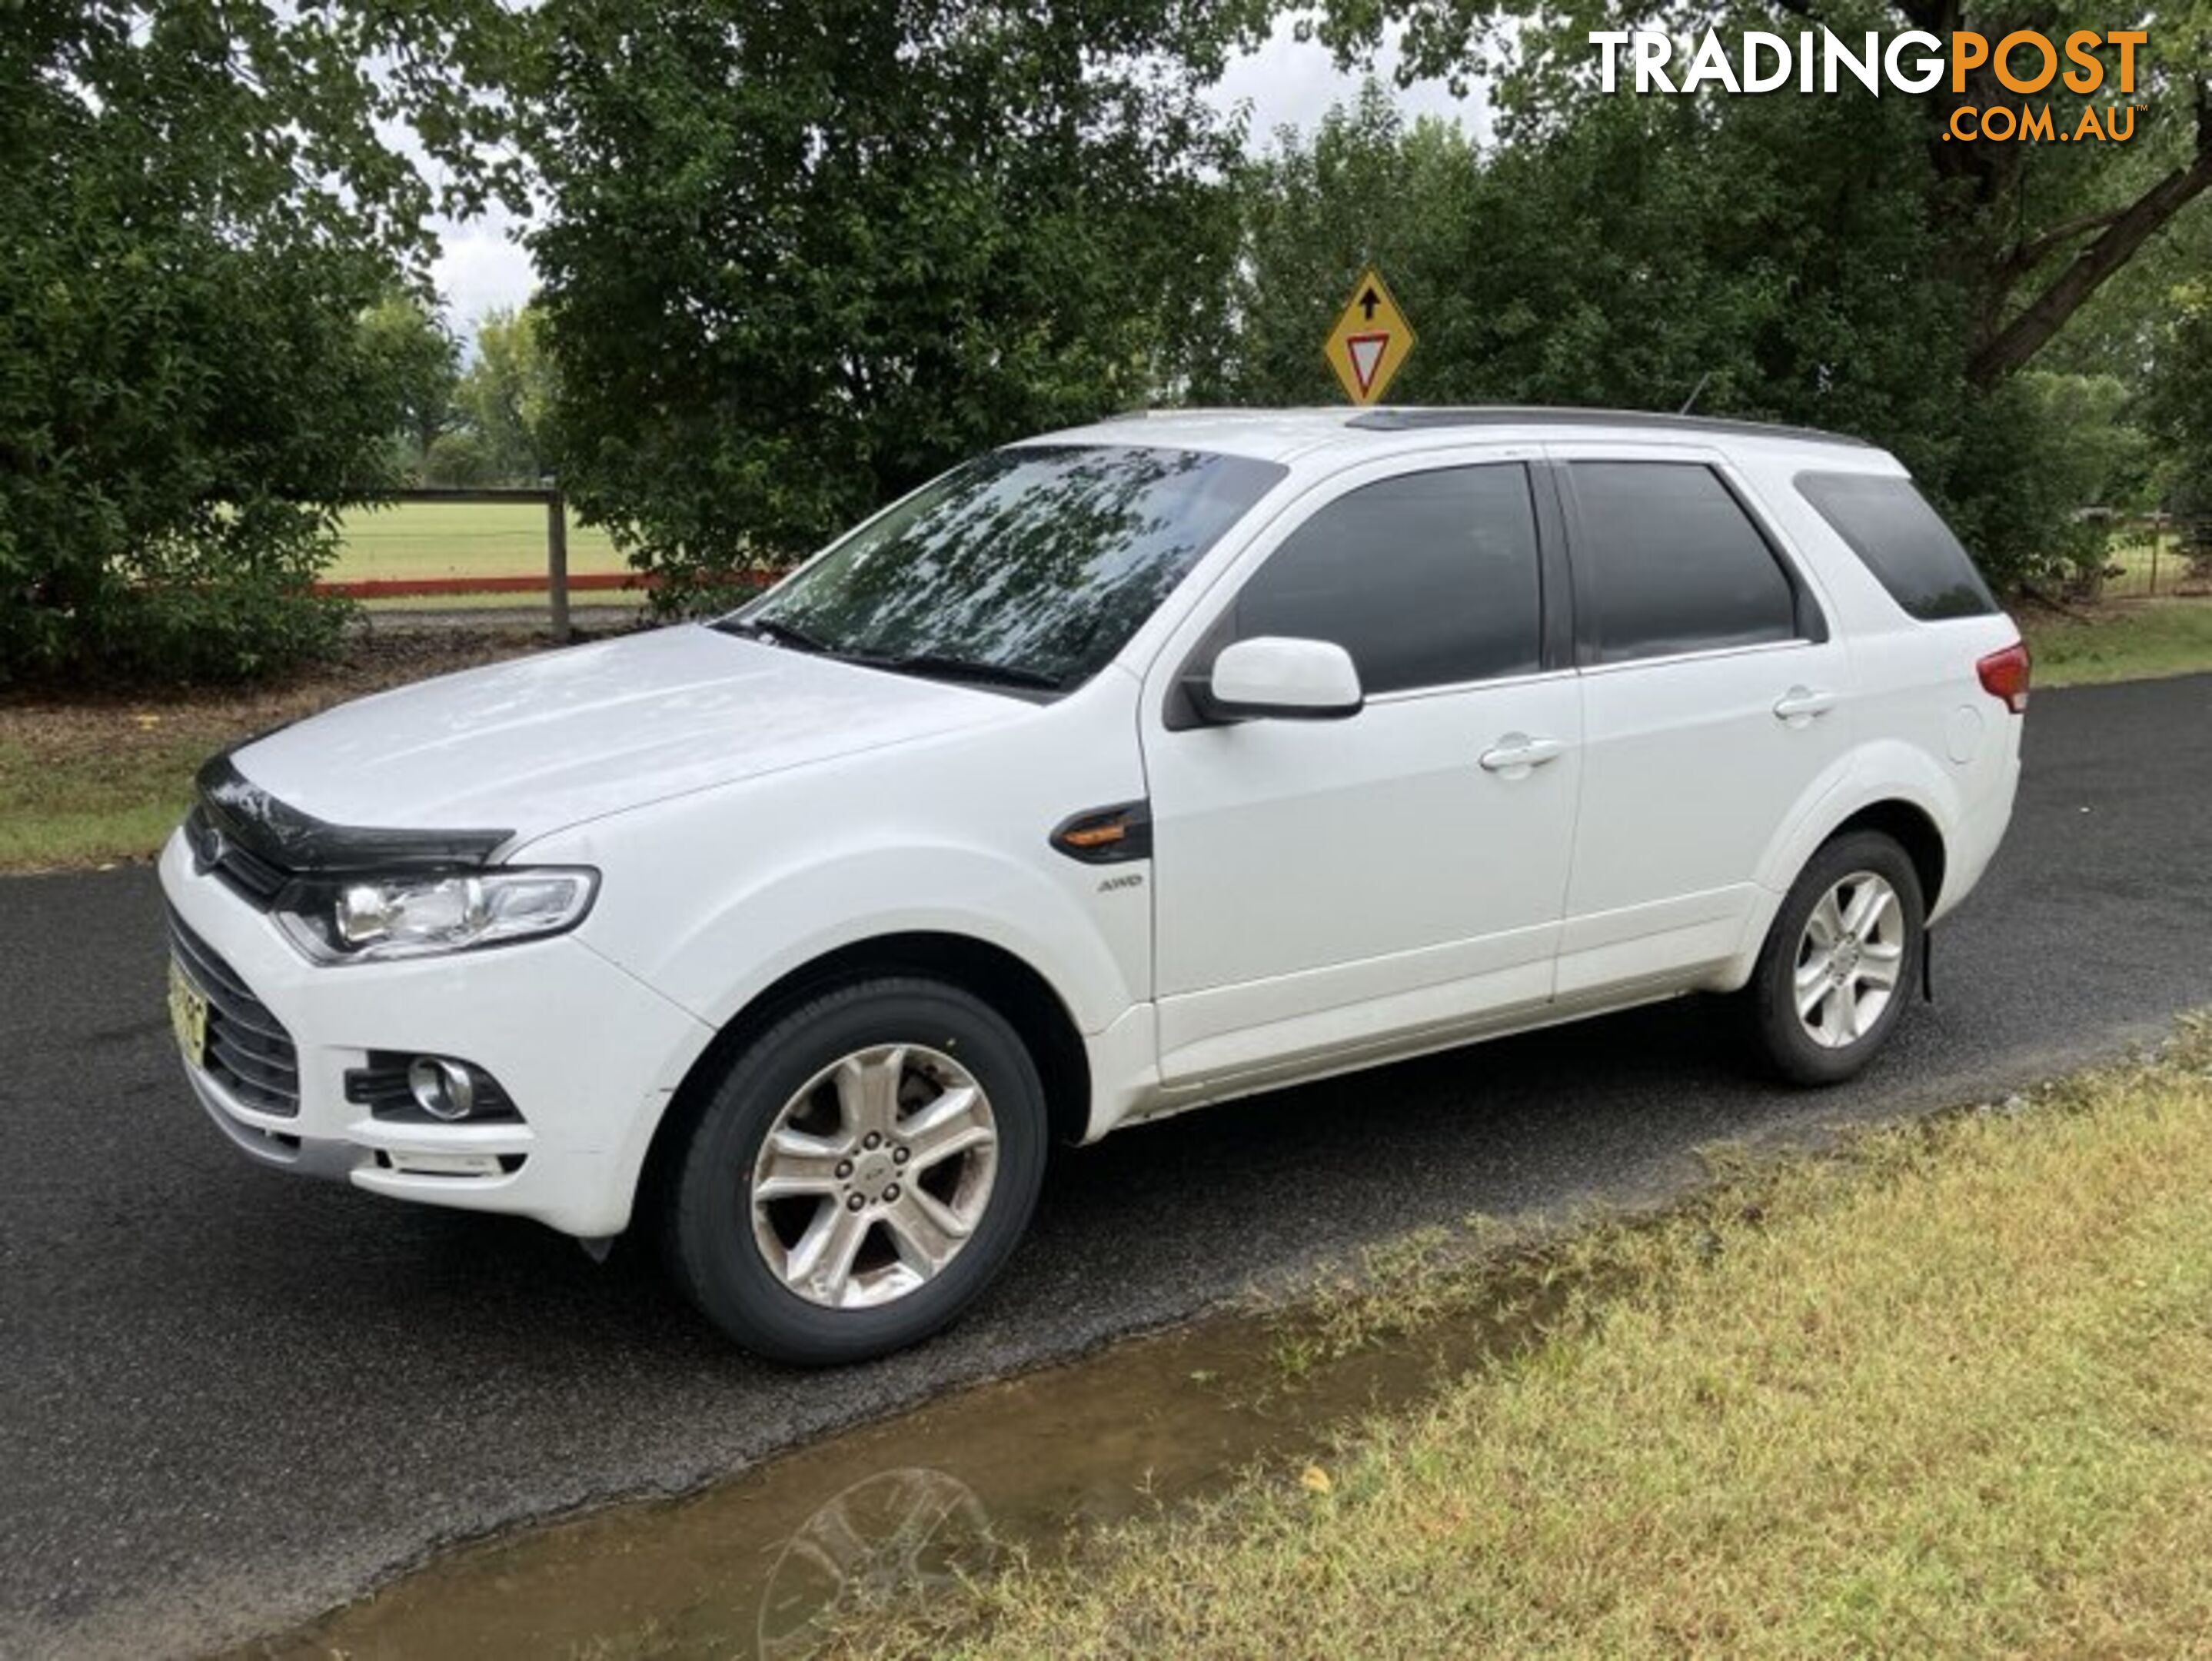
1286,83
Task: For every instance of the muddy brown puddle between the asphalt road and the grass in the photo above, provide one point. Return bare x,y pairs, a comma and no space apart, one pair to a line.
773,1560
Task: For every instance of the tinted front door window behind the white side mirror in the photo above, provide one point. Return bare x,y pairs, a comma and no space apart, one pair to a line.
1426,581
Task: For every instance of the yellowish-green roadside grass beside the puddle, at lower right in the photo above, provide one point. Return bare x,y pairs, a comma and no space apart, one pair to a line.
1943,1392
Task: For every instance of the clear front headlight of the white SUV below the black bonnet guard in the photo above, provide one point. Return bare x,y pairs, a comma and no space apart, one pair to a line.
419,917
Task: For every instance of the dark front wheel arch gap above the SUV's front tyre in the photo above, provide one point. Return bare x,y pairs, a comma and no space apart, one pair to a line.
1003,981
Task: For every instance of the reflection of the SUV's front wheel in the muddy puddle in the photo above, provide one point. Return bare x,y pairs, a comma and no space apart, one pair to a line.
888,1540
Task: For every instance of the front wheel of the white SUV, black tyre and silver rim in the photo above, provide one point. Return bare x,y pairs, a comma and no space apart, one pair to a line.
859,1173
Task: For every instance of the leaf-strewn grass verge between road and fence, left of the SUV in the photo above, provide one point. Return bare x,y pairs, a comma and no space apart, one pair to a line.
96,782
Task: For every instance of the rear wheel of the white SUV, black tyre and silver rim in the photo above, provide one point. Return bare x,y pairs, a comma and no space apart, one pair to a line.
1841,961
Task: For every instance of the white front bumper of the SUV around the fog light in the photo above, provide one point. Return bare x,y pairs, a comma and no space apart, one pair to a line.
585,1049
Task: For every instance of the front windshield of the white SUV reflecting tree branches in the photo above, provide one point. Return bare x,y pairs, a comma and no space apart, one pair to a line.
1027,567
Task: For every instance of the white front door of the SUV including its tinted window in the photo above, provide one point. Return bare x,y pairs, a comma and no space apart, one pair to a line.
1379,881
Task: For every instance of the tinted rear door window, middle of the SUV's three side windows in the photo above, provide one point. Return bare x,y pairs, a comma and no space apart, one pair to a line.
1671,563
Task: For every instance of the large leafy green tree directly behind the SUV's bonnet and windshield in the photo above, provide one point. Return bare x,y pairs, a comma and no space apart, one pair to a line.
802,258
